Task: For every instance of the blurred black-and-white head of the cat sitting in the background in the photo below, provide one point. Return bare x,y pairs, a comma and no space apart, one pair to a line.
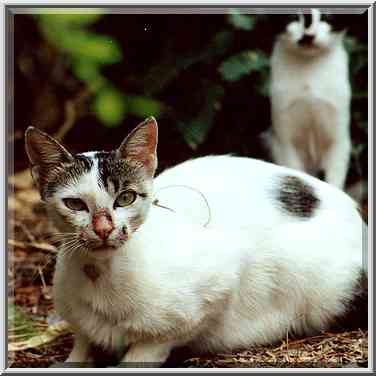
311,33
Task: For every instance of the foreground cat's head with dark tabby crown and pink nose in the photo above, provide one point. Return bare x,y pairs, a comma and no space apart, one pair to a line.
96,199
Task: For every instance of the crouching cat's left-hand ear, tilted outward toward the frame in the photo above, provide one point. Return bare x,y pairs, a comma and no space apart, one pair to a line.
44,153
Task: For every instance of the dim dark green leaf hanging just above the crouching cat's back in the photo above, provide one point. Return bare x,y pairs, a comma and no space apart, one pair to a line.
196,131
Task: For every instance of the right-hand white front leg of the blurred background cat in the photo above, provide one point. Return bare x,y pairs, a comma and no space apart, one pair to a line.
336,163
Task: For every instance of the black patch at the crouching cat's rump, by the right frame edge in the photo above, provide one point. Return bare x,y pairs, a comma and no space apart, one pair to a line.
356,314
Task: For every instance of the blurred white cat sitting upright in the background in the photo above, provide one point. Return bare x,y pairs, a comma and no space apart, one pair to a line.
310,98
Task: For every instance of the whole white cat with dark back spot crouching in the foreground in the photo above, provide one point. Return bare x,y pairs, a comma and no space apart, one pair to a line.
282,251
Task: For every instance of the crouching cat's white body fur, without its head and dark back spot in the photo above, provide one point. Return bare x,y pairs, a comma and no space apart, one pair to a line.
253,273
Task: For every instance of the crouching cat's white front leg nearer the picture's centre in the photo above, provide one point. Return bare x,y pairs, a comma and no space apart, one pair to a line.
153,353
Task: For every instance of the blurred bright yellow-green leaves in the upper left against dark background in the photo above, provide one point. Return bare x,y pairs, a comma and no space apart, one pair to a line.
89,52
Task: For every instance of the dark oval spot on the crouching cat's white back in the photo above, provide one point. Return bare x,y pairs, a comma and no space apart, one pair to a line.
297,197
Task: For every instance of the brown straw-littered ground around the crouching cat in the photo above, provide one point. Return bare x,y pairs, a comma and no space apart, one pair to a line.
38,338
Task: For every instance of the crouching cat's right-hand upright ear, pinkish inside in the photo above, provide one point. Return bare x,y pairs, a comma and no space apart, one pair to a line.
141,145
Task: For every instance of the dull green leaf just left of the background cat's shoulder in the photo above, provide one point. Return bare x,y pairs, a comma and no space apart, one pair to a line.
243,63
